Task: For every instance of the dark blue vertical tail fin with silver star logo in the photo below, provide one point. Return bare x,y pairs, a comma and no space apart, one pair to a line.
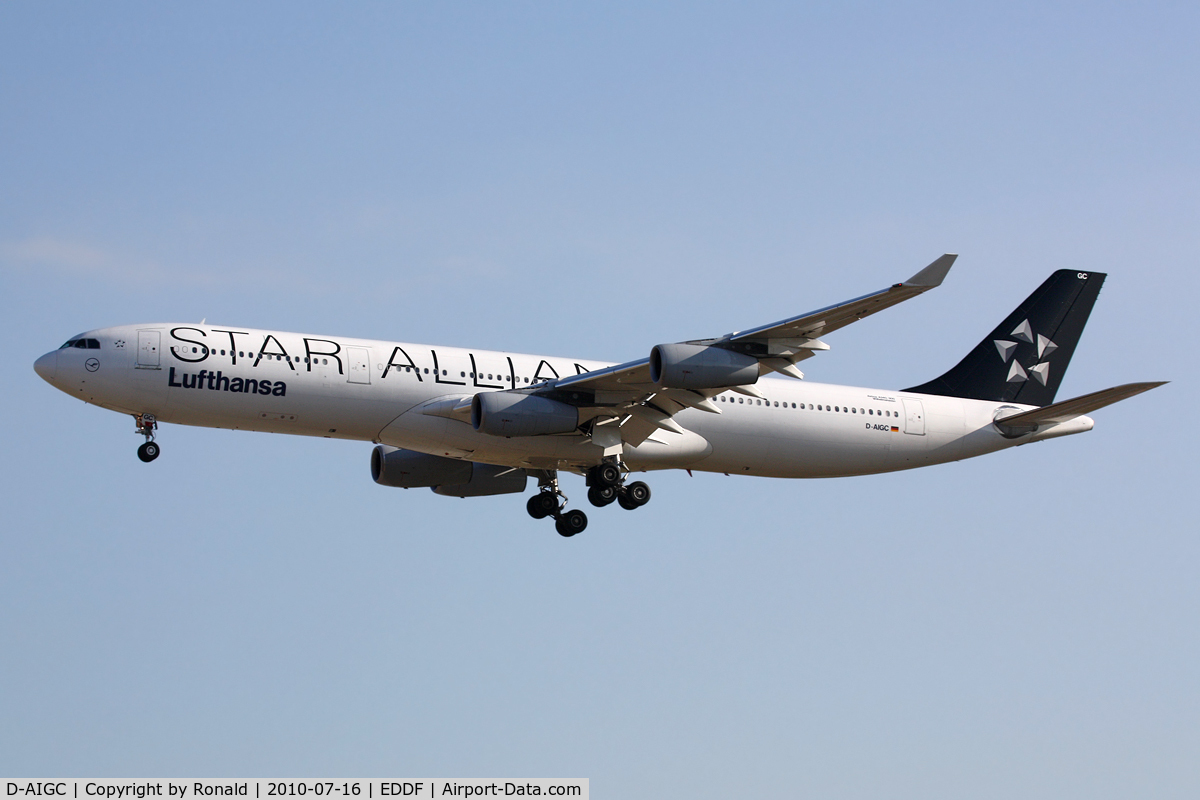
1025,358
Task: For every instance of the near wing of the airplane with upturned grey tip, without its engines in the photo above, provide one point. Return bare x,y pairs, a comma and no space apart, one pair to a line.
629,395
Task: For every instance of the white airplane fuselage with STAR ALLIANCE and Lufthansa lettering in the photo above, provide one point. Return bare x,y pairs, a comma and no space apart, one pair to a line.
389,393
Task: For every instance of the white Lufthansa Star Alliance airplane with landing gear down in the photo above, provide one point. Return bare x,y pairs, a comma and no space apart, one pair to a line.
470,423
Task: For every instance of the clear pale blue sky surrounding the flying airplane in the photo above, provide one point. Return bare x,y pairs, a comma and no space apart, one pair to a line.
590,182
